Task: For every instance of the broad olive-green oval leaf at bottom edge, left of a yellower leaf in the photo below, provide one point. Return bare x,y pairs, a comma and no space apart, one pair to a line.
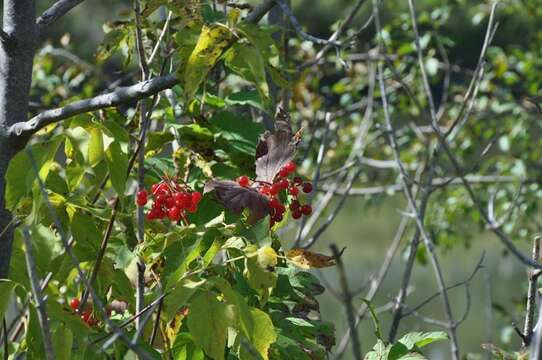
208,323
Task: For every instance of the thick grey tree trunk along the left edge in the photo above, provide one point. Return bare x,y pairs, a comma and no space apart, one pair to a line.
16,58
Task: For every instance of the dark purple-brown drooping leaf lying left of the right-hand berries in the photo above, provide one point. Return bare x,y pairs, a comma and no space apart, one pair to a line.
236,198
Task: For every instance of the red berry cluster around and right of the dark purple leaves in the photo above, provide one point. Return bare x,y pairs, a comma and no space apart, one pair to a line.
280,185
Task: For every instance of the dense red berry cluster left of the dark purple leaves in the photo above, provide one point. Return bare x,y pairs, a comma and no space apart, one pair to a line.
171,200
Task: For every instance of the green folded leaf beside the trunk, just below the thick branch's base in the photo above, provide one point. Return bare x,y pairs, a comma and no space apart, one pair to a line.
20,175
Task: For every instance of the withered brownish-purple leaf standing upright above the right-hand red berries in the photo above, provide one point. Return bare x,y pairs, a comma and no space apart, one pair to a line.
275,149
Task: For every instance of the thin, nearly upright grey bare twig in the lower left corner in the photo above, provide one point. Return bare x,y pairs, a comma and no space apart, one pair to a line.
36,293
